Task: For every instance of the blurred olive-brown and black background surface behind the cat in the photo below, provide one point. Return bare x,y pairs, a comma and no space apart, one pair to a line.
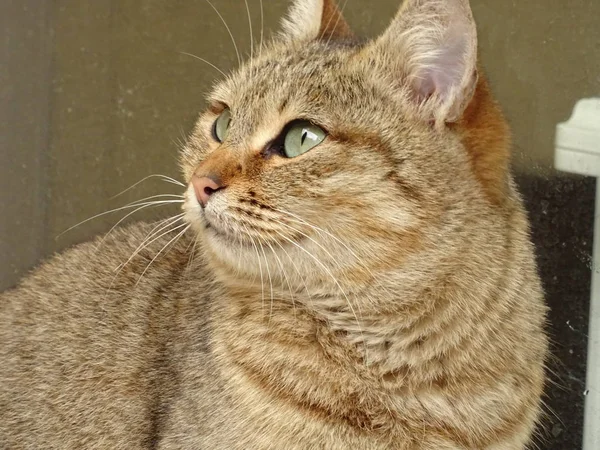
96,95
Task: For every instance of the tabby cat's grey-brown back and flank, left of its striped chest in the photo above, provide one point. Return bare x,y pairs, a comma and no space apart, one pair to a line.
93,349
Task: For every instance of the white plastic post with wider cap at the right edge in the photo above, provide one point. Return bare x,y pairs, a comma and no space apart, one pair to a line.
578,151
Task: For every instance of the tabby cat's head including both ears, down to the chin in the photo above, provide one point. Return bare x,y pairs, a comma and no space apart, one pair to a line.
328,162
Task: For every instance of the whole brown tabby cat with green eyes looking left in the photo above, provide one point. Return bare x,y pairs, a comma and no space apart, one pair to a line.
363,277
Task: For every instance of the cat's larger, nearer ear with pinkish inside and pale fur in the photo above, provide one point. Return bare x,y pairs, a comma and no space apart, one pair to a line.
430,48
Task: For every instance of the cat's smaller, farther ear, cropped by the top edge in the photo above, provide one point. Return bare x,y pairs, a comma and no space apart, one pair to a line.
308,20
